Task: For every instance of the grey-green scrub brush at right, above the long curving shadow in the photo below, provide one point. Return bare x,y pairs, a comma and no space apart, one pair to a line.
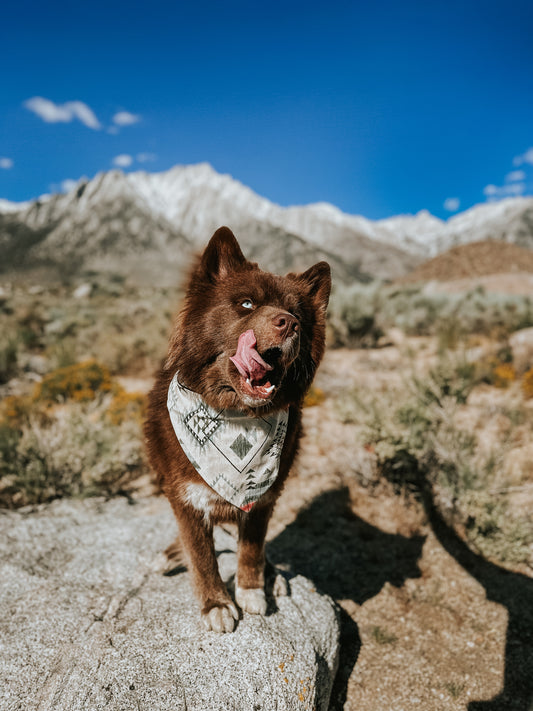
437,431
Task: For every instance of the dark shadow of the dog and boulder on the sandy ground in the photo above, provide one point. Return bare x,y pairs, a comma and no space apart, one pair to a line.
346,558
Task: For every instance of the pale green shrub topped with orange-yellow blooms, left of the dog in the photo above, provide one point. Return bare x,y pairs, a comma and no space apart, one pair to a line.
79,435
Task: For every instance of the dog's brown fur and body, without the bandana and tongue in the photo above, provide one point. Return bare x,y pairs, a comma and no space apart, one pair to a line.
288,317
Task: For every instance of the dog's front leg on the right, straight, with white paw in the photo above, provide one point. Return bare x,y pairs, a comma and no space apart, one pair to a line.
250,587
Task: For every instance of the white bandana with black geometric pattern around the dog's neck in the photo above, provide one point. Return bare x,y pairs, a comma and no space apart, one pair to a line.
238,456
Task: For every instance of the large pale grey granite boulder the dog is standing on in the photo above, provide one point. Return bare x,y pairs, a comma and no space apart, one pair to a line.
87,623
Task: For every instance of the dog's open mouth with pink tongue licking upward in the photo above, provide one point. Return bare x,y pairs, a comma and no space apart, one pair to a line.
259,373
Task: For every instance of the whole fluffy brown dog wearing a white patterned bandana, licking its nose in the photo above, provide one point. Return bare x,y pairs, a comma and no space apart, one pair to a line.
226,409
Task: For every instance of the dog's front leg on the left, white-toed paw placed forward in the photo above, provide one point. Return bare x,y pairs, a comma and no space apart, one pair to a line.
218,611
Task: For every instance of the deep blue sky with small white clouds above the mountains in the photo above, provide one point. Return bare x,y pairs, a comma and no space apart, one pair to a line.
379,108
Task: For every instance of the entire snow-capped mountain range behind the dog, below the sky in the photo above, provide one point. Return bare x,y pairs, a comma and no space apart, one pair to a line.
147,225
